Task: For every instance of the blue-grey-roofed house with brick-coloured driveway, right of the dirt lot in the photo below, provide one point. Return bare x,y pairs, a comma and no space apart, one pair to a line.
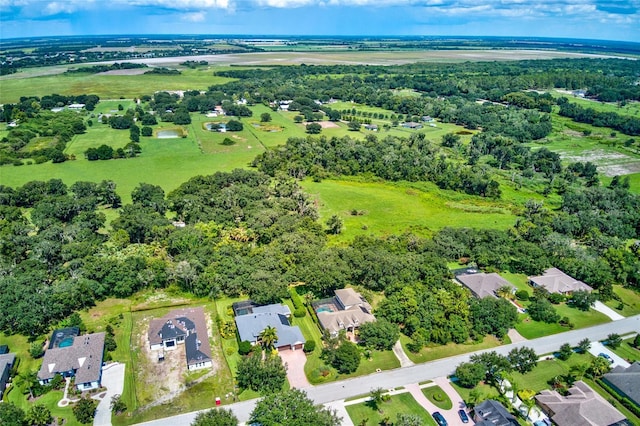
251,324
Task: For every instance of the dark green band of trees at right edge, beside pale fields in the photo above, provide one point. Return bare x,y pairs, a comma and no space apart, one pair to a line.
622,123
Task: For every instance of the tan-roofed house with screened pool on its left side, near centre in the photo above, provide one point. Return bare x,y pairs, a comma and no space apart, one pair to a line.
348,310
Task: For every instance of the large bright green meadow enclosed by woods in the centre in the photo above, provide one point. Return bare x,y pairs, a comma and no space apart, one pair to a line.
394,208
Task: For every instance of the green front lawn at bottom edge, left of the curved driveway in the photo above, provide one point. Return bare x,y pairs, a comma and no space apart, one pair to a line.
402,403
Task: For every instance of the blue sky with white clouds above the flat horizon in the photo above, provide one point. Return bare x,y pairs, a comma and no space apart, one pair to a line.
586,19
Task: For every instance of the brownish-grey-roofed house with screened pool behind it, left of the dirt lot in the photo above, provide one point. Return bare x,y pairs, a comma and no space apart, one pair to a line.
73,355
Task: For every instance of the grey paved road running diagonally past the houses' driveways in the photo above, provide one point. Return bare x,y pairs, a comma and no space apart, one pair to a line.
428,371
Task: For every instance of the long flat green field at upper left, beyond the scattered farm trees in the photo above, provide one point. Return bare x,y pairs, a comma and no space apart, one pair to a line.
106,86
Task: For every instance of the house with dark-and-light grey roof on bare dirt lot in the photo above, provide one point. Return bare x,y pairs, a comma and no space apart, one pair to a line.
186,327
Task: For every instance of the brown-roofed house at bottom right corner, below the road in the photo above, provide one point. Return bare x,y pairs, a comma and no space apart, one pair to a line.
582,406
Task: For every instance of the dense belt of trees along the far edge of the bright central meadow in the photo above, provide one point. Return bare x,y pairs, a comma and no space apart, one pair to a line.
392,158
